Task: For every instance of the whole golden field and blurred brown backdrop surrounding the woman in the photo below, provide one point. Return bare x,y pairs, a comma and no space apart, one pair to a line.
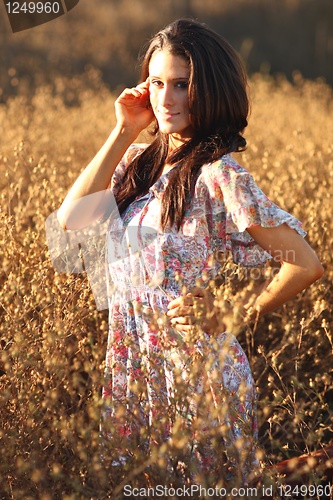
58,84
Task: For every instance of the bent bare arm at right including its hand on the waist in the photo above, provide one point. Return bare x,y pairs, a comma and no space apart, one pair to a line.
300,267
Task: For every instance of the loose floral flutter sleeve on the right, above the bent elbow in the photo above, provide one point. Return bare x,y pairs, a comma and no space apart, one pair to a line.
238,203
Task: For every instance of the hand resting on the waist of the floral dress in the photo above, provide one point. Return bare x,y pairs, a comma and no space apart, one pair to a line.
194,308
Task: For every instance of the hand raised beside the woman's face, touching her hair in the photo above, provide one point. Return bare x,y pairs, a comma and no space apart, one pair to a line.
132,108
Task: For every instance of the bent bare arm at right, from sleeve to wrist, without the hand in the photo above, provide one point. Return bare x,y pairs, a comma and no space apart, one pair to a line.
300,266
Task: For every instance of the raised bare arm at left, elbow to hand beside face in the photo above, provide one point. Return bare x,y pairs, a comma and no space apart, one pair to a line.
88,198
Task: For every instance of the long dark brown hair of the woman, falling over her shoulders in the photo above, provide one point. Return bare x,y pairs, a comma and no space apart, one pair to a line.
218,107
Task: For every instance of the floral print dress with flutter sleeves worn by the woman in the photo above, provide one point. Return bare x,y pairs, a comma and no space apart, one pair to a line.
147,362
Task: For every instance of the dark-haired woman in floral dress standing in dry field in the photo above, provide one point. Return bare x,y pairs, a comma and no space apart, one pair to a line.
184,201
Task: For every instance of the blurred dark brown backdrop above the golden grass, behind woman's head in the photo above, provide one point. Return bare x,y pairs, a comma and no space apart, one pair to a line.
275,36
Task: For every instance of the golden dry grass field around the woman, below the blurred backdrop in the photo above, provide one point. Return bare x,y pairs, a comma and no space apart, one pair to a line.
53,340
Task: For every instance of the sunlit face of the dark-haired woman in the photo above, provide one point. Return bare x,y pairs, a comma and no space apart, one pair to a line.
168,87
